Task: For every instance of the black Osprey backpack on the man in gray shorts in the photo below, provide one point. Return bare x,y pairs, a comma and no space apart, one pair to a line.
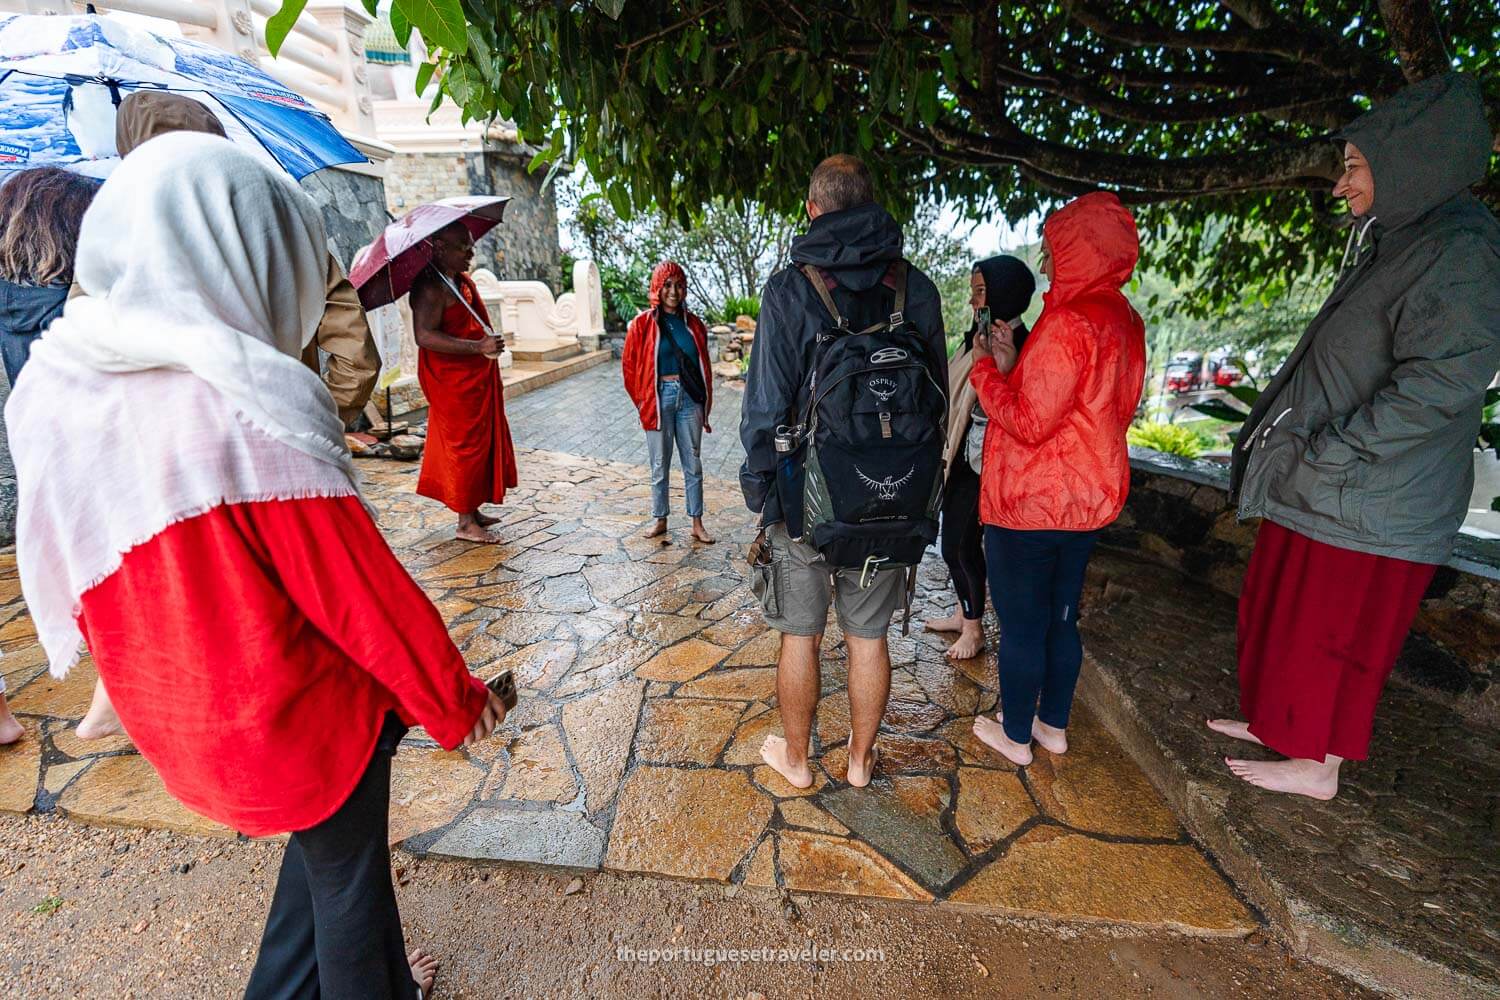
875,427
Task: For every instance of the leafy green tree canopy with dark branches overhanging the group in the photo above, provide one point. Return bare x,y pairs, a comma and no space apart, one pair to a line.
677,104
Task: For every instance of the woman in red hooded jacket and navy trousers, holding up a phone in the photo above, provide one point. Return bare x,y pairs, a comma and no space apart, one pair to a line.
1055,463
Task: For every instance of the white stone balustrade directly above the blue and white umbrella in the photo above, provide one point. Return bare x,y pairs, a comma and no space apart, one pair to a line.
323,59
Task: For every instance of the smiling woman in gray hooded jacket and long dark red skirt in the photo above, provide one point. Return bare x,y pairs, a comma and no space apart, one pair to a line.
1360,454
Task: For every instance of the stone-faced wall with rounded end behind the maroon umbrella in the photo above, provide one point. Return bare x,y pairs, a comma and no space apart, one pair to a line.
526,247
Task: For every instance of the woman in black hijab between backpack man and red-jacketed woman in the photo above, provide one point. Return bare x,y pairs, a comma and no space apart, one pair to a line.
1000,289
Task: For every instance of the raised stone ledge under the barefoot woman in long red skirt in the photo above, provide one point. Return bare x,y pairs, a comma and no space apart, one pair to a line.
1390,882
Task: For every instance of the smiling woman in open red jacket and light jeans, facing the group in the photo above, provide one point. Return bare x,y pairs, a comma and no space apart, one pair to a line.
671,382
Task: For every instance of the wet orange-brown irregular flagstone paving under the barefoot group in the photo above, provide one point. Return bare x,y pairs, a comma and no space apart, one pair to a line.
647,687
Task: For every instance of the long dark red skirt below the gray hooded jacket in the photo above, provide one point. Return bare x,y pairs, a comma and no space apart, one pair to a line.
1319,633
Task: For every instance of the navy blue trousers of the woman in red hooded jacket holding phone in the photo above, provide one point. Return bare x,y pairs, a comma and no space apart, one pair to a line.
1036,582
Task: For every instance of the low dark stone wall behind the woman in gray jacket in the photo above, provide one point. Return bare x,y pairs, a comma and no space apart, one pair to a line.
1180,516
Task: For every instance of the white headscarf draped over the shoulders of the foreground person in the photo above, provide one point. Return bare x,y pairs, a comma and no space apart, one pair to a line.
173,385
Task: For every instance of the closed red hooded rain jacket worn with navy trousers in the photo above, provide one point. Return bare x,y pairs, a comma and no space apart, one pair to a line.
1055,454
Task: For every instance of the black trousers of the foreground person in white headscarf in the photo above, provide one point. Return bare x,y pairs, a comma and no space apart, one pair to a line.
334,932
